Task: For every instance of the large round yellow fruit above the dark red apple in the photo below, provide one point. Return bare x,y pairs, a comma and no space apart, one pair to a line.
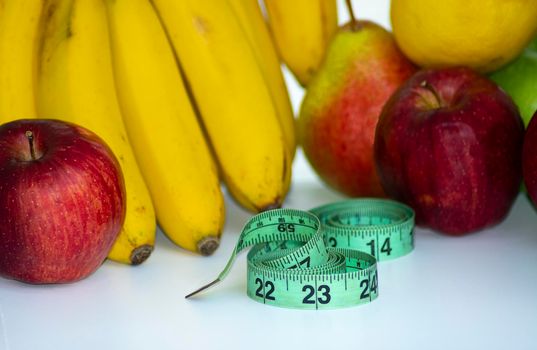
482,34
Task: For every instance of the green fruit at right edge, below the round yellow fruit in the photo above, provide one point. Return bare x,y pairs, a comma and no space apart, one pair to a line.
519,80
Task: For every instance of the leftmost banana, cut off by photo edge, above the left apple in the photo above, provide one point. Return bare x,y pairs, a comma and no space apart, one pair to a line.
19,27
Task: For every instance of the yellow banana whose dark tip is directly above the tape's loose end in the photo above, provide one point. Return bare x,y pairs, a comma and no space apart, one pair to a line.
163,128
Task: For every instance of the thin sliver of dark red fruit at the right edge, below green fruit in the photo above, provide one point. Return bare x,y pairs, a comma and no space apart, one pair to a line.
529,160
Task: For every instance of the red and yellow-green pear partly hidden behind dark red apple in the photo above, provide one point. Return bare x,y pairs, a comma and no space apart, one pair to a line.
363,67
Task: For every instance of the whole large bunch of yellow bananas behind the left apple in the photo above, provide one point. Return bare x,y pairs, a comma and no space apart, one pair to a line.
188,95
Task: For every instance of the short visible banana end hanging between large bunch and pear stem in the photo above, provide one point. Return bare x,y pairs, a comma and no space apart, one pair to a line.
301,30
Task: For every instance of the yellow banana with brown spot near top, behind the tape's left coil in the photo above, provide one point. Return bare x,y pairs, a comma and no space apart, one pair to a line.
234,102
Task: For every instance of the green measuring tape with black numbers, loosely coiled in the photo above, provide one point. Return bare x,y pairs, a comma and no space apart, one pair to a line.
324,258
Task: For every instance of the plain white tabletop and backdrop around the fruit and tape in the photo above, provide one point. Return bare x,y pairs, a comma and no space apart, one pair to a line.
473,292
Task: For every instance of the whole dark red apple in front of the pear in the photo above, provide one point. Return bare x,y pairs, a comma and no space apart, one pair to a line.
448,143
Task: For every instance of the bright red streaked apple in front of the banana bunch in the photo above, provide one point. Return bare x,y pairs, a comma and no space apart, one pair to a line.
62,201
